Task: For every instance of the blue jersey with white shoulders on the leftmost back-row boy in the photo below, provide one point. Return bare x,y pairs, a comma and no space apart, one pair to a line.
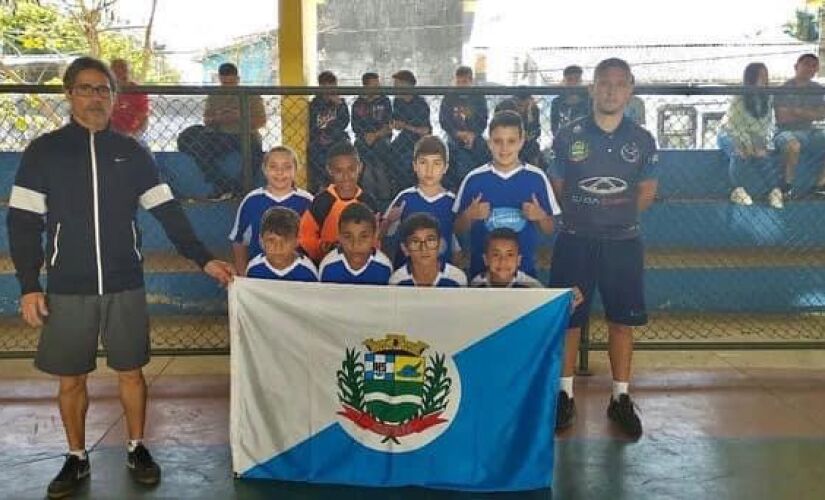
247,225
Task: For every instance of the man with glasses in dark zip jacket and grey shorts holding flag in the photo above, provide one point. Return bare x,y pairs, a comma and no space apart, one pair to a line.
82,184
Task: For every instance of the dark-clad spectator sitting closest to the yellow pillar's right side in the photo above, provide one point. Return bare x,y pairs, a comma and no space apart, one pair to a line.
328,122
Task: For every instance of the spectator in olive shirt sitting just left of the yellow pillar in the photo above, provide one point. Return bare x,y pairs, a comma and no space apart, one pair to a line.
220,135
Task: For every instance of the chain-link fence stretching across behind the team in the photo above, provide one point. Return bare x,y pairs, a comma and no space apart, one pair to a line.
718,273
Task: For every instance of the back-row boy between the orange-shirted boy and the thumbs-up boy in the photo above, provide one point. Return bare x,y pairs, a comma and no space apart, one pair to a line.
429,196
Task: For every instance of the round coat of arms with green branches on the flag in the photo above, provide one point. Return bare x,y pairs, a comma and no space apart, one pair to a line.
395,397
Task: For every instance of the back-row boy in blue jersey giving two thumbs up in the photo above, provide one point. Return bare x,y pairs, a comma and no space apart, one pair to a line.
505,193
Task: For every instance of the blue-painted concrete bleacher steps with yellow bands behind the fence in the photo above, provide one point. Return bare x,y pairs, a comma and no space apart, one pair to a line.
704,253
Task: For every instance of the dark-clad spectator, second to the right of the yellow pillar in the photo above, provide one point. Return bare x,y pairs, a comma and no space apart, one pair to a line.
371,118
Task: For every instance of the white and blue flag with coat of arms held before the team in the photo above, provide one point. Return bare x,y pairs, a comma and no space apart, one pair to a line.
395,386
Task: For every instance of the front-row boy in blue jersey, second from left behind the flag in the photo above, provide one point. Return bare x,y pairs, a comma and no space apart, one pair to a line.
356,260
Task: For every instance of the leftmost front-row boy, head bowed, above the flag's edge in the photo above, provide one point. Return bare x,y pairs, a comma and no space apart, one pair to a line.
280,259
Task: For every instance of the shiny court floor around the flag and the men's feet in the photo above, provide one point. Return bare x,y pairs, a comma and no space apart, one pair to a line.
717,425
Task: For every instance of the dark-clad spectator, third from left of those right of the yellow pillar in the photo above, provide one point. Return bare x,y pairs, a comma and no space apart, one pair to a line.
411,117
